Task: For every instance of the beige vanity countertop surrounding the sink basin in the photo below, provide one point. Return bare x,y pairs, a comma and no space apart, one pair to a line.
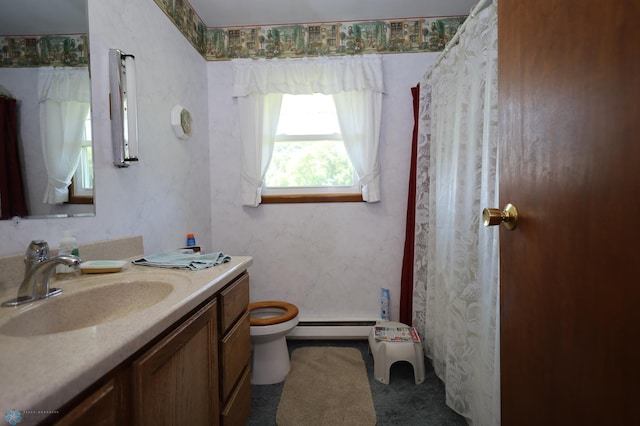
43,372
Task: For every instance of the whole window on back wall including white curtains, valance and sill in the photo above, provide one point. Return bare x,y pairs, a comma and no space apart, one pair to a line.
353,83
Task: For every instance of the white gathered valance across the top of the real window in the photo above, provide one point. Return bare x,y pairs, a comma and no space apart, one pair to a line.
299,76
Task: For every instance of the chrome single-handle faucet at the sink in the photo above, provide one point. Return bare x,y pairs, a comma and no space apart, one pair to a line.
37,274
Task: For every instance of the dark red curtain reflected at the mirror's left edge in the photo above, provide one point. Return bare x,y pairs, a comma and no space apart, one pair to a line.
11,189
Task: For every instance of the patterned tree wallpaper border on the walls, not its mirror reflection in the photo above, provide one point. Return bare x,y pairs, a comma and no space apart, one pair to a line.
314,39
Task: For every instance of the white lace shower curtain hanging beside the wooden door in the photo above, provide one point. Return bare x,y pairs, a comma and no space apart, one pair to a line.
456,274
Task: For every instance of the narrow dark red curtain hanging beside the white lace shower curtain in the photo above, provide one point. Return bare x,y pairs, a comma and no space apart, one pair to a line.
406,283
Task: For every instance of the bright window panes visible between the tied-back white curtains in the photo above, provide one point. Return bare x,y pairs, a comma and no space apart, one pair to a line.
309,156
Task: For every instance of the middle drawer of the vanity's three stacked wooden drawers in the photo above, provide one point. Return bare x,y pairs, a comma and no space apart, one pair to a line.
236,351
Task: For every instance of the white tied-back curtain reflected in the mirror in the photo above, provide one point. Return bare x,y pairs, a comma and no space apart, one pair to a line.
64,96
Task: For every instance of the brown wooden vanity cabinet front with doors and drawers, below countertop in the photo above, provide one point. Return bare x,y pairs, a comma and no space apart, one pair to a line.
197,374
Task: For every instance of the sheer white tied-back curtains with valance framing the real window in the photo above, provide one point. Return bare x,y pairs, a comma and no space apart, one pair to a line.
356,84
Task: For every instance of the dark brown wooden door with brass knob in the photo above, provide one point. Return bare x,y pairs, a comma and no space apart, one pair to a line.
569,95
